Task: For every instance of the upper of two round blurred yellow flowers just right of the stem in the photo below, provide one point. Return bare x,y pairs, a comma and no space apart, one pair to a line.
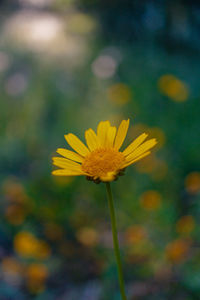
150,200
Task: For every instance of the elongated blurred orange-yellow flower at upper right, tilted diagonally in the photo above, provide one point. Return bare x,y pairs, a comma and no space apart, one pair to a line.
173,87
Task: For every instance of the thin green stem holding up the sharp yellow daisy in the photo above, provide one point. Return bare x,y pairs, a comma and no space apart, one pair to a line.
115,240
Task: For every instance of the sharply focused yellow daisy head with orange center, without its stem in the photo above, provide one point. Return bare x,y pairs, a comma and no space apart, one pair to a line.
101,160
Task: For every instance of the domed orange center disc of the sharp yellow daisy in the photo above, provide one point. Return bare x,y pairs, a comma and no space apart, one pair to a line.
101,161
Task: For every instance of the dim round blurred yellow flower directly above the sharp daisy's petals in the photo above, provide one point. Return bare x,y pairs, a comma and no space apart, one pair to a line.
119,93
